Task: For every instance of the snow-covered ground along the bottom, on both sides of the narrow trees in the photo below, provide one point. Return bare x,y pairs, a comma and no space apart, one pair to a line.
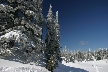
12,66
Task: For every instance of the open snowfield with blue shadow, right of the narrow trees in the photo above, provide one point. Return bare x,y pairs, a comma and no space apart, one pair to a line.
102,66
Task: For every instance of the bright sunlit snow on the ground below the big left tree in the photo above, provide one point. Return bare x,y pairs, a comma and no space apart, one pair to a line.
12,66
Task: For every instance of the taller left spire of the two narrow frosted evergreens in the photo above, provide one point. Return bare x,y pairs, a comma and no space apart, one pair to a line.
49,25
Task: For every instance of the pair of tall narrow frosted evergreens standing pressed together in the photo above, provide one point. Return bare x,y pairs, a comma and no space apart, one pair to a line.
52,40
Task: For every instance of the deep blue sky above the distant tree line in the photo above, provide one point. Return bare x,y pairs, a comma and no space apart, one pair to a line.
83,23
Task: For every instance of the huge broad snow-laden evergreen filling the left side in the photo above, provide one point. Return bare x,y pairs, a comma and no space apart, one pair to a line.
23,17
